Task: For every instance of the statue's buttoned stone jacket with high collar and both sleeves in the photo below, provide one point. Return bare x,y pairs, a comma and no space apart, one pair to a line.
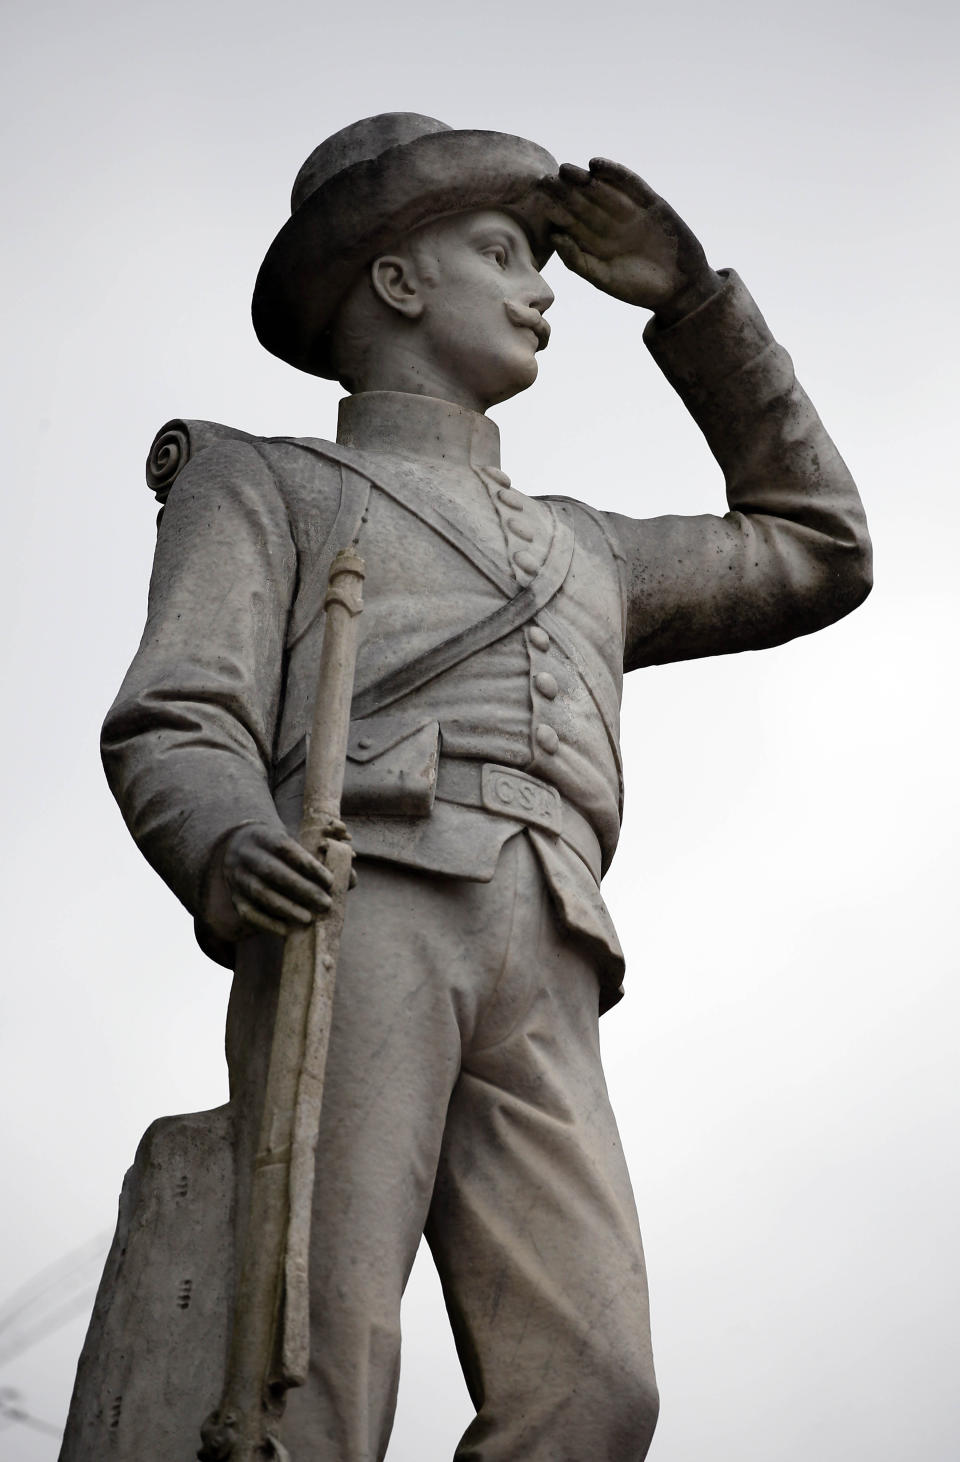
210,724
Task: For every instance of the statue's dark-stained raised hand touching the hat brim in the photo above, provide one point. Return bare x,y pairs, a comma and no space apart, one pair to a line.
626,240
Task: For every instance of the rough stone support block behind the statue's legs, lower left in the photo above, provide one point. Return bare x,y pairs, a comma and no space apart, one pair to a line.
153,1363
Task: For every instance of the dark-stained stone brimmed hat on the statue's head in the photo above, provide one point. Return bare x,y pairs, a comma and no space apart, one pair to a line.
359,194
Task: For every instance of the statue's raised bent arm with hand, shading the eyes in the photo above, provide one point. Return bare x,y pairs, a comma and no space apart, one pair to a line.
793,555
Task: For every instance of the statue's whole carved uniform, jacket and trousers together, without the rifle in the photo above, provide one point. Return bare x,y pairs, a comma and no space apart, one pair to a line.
465,1091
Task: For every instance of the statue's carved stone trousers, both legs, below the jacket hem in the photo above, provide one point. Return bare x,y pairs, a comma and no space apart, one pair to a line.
465,1099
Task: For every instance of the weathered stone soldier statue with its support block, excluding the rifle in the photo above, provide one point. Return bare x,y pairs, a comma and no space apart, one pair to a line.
483,792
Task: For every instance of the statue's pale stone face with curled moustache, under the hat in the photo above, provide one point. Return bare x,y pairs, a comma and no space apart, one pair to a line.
484,302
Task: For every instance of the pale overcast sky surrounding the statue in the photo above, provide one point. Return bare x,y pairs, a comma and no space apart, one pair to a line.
784,1067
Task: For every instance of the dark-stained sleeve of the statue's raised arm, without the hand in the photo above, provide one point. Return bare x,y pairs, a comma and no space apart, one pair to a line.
793,553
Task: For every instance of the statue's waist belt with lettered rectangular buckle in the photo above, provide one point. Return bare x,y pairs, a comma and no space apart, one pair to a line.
522,798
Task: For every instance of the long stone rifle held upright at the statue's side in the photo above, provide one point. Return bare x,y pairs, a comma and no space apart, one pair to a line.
270,1344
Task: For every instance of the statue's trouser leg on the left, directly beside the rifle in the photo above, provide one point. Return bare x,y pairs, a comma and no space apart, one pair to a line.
420,957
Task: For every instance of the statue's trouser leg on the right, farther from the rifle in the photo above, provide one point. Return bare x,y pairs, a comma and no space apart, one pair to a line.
534,1226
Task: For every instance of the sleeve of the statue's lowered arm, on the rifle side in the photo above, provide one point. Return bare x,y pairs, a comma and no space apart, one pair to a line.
189,739
